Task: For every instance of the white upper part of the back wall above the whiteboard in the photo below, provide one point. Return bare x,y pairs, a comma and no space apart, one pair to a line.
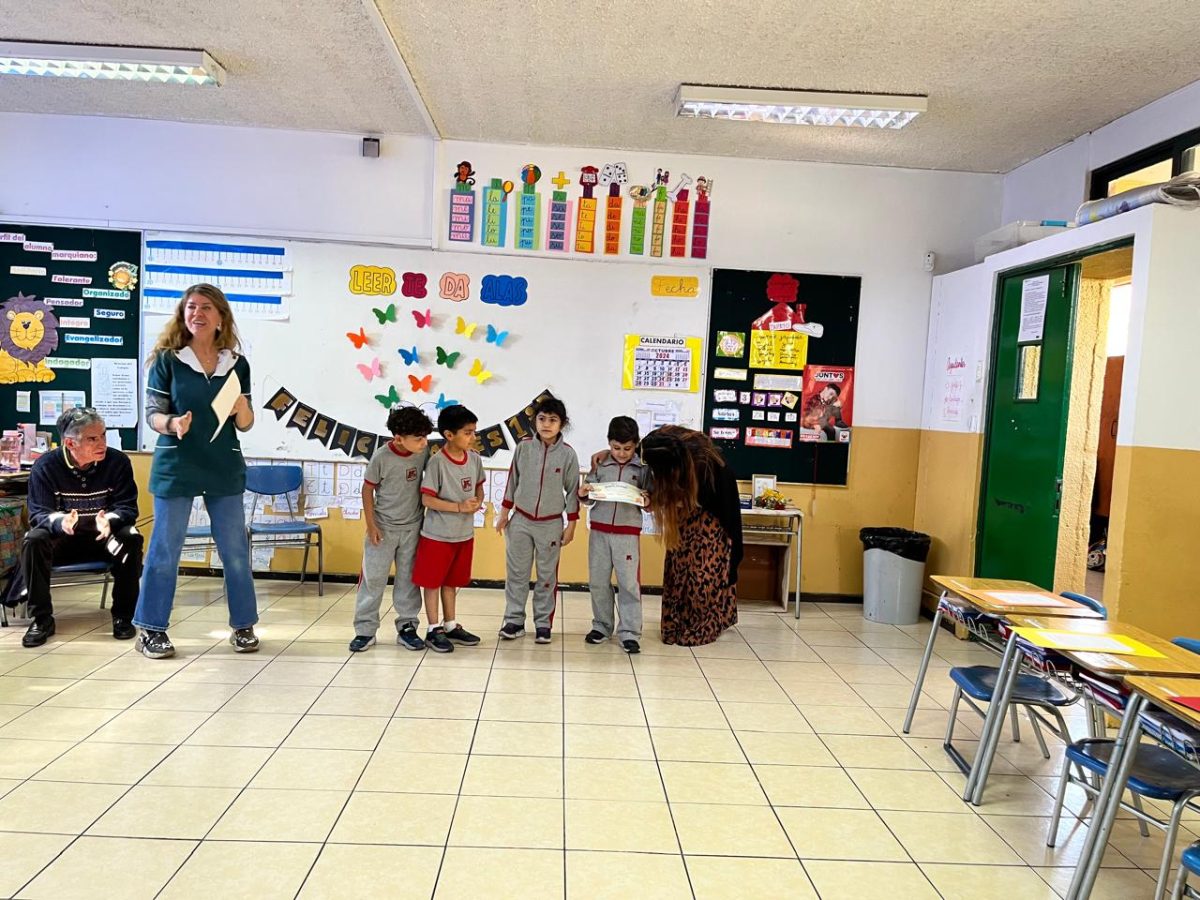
850,220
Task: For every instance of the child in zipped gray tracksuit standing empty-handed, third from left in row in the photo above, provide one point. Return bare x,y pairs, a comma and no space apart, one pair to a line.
543,485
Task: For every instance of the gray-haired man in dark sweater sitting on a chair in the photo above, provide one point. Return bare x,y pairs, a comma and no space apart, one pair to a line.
83,505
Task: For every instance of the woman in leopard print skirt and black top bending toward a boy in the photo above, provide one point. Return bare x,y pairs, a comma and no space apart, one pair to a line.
694,499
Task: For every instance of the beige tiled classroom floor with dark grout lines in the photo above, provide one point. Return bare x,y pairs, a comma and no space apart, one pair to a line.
767,765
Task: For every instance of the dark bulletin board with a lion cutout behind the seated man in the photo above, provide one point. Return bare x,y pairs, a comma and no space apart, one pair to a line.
86,291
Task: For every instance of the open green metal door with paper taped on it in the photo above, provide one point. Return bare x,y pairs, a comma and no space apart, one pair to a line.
1028,427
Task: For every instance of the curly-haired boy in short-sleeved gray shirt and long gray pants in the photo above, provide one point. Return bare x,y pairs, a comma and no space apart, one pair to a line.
393,511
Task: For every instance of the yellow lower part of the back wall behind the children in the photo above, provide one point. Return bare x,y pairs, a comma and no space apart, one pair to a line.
883,493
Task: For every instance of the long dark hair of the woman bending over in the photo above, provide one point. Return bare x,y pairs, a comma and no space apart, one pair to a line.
680,461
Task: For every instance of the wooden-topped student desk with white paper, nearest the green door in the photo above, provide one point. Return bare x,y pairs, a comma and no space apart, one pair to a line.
967,601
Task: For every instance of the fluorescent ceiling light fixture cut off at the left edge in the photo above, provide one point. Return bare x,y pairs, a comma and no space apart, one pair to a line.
122,64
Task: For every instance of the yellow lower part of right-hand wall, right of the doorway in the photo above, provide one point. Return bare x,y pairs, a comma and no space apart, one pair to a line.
1154,566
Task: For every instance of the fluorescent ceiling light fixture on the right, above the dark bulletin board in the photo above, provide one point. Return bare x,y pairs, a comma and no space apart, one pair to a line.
754,105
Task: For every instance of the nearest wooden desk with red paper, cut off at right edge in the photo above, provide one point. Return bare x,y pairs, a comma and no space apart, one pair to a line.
1156,691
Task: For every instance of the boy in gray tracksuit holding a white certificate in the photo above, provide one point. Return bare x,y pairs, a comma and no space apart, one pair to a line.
614,541
